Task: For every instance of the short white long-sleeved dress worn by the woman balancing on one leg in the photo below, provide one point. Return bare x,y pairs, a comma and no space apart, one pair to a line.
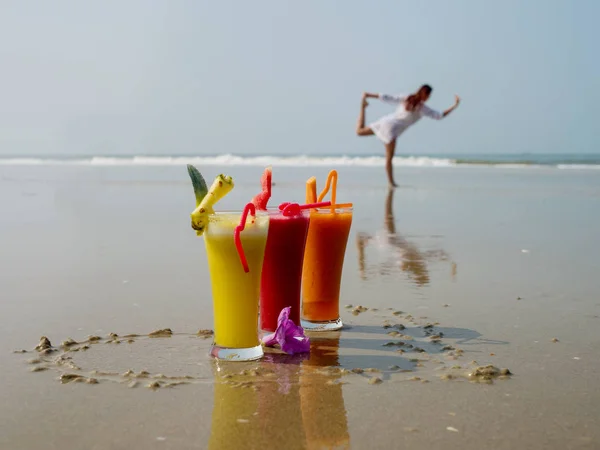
393,125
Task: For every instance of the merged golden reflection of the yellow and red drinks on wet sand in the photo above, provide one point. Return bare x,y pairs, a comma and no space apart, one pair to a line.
258,411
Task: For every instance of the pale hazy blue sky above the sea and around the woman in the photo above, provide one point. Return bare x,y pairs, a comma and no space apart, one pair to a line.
285,77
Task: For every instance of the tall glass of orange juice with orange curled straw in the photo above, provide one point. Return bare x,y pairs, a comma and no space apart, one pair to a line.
324,260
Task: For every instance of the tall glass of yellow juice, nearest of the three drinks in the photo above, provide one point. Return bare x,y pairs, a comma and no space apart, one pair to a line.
235,292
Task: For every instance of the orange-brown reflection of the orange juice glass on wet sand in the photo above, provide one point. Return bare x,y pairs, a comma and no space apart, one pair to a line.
322,400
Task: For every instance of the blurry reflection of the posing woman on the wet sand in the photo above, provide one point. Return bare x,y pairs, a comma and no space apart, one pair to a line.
412,260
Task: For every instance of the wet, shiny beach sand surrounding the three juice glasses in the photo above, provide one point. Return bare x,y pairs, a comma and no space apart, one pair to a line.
500,264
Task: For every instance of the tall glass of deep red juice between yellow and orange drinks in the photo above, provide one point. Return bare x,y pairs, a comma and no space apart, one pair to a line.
282,267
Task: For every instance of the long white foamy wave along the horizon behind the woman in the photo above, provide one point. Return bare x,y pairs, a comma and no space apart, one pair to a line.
297,161
